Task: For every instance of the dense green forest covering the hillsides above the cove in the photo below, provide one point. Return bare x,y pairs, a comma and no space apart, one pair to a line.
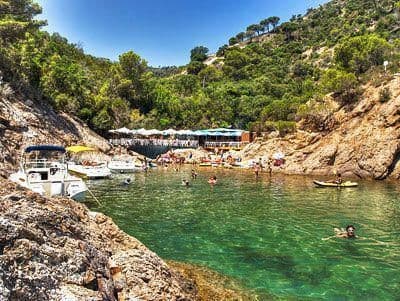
268,77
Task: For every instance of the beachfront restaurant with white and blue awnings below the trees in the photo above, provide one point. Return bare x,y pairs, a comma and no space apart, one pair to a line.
157,142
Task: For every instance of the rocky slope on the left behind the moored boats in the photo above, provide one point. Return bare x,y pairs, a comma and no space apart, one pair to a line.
24,122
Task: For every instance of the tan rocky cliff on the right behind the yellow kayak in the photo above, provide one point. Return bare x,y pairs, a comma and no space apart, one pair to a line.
364,141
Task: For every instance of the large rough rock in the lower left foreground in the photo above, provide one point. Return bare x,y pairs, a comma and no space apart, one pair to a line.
56,249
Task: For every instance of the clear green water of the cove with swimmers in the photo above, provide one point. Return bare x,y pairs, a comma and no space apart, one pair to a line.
266,233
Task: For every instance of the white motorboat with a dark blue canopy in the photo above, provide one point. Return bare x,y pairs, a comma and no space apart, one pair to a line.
48,177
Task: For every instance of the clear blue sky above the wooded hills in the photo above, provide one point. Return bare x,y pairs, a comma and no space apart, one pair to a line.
161,31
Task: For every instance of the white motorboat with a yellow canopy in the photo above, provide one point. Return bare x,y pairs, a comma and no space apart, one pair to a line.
86,168
